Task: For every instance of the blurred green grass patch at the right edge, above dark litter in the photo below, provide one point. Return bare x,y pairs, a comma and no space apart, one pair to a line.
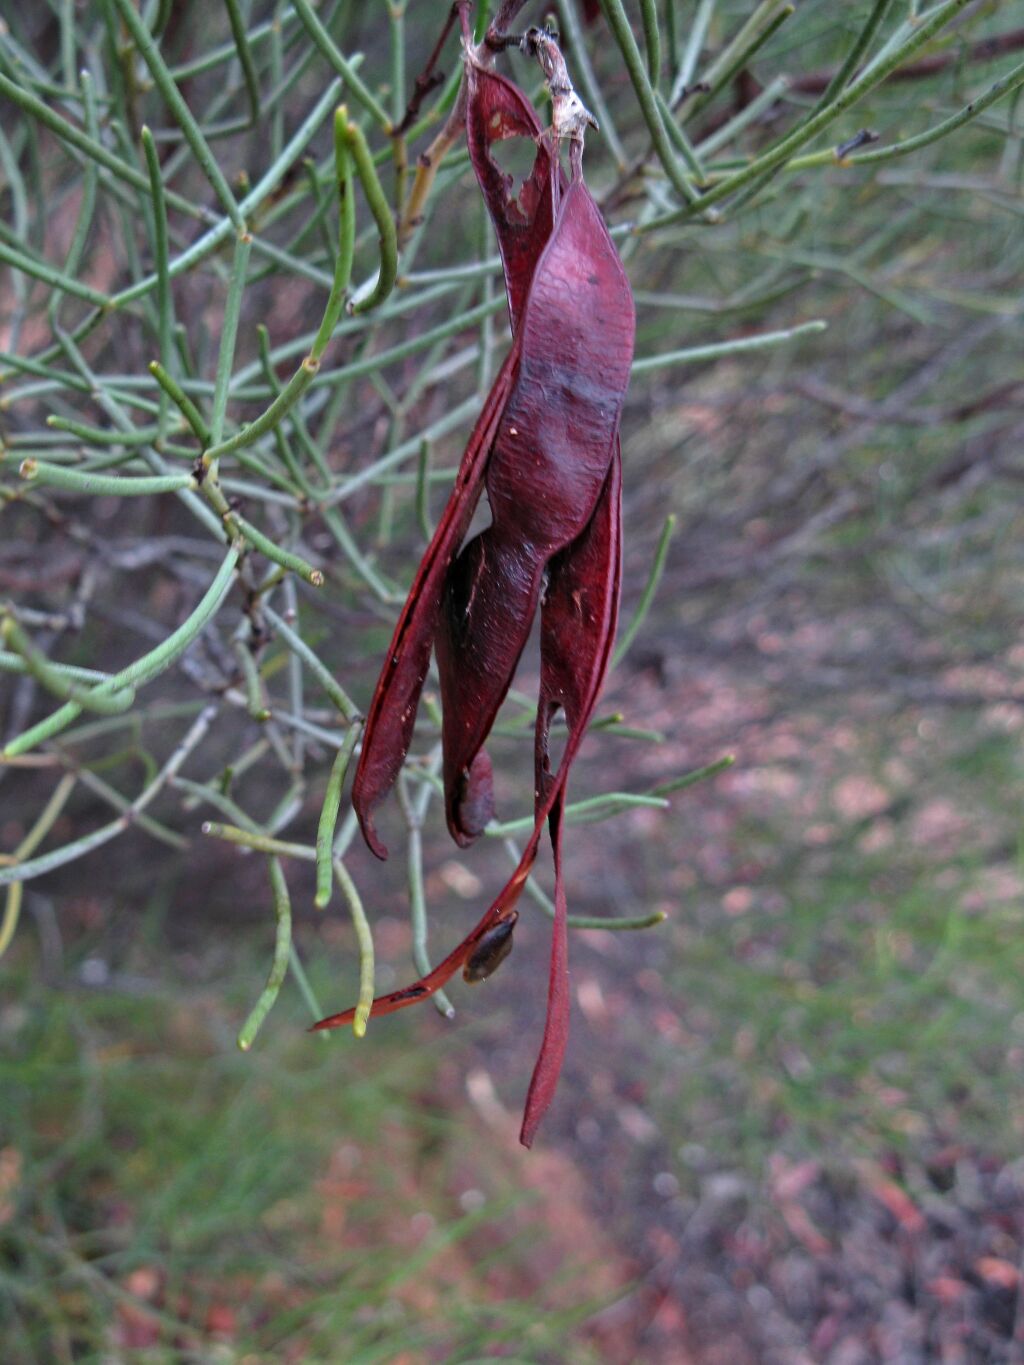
862,998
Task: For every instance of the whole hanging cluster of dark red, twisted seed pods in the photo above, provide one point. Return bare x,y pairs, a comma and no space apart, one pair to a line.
547,450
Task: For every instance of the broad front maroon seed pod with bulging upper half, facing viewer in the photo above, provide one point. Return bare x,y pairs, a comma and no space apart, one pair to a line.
550,461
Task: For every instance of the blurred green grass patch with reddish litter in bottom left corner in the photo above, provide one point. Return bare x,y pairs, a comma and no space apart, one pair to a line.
165,1198
